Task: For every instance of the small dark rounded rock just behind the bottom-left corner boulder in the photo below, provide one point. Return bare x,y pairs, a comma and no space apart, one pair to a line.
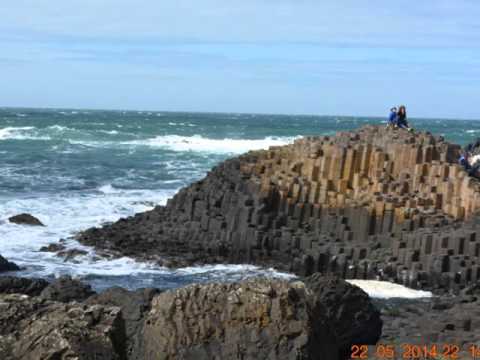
66,289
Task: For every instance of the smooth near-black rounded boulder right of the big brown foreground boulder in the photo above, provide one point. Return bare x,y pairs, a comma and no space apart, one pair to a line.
348,309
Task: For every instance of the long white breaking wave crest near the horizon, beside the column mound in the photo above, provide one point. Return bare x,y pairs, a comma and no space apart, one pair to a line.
198,143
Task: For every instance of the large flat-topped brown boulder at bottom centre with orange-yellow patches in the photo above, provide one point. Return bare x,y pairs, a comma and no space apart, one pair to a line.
254,319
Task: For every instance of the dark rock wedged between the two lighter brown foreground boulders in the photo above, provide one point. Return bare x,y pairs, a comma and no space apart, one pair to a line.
134,305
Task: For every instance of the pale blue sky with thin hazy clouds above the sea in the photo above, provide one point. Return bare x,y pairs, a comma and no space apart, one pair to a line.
329,57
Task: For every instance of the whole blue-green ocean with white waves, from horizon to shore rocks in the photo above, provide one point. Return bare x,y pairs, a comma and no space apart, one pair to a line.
74,169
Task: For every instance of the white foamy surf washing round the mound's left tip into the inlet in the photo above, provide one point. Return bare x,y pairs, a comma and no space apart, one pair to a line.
65,214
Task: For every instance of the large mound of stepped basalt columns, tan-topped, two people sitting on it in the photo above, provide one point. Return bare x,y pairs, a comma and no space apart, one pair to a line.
365,204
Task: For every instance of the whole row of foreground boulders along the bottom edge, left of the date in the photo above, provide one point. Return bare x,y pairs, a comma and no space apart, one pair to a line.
253,319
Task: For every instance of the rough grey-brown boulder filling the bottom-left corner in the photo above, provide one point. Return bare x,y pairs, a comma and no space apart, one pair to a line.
35,329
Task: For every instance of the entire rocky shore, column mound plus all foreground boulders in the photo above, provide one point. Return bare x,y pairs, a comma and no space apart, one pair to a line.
369,204
